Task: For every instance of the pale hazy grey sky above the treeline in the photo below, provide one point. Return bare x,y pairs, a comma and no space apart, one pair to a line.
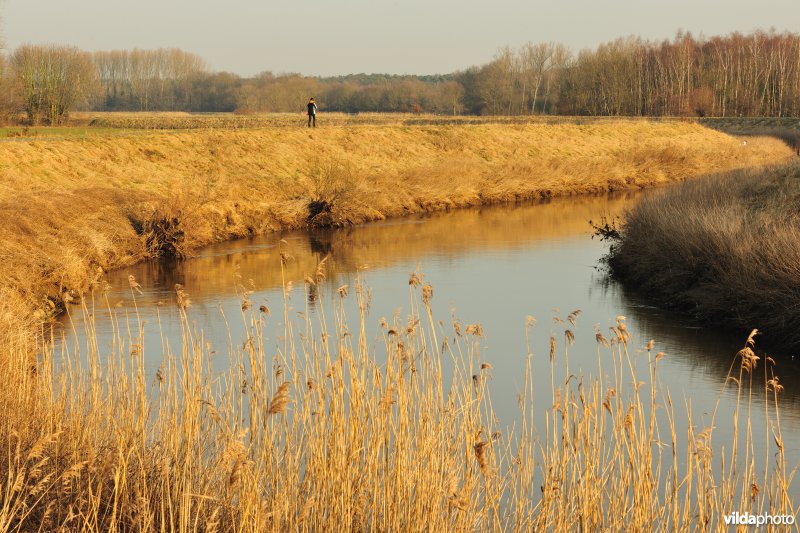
319,37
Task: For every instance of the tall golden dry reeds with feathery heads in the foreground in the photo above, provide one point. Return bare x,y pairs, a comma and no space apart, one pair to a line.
325,431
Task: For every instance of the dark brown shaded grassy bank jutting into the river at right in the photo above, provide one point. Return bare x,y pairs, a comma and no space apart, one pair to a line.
724,249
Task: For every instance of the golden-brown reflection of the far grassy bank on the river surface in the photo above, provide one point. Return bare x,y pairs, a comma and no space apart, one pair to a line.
217,269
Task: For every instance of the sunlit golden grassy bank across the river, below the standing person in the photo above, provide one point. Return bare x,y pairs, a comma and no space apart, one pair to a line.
80,206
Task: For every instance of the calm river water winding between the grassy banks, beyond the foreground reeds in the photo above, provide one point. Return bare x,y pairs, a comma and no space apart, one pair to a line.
494,266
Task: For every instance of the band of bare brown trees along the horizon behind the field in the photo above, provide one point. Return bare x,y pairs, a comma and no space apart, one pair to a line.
756,74
